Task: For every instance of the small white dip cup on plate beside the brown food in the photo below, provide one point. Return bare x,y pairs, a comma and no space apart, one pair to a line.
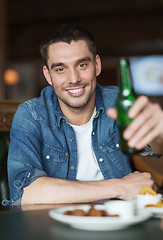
125,209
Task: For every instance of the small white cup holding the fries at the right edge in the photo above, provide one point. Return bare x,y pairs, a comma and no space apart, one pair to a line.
145,199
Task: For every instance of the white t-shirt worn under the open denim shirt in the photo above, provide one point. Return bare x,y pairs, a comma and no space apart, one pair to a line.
88,169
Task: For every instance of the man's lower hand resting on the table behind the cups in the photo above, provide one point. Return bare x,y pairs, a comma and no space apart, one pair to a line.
133,183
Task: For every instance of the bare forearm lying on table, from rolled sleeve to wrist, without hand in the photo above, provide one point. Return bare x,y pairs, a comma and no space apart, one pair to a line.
51,190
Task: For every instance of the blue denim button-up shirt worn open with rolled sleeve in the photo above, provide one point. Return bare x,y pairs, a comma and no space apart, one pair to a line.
44,144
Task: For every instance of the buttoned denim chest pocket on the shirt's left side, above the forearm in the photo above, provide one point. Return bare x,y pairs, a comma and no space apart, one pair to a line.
54,161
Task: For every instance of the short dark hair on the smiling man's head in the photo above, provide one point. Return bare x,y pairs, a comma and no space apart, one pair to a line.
67,33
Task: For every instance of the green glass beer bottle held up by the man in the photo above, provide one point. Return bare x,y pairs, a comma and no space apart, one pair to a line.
125,100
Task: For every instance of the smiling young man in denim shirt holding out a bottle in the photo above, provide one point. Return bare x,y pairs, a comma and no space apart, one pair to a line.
64,147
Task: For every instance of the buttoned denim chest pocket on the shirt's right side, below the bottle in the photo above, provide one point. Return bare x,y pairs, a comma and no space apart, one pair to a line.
112,149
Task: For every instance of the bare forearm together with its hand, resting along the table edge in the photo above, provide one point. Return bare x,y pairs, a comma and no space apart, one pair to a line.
47,190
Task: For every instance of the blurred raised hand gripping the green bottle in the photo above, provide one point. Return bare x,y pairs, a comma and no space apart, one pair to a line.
146,127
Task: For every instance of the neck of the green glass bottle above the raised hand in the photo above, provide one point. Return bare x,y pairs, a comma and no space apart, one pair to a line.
125,80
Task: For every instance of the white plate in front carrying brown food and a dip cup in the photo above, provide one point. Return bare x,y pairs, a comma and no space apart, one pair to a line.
96,223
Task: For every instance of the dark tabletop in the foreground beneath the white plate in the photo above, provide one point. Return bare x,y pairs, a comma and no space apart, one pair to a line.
33,222
